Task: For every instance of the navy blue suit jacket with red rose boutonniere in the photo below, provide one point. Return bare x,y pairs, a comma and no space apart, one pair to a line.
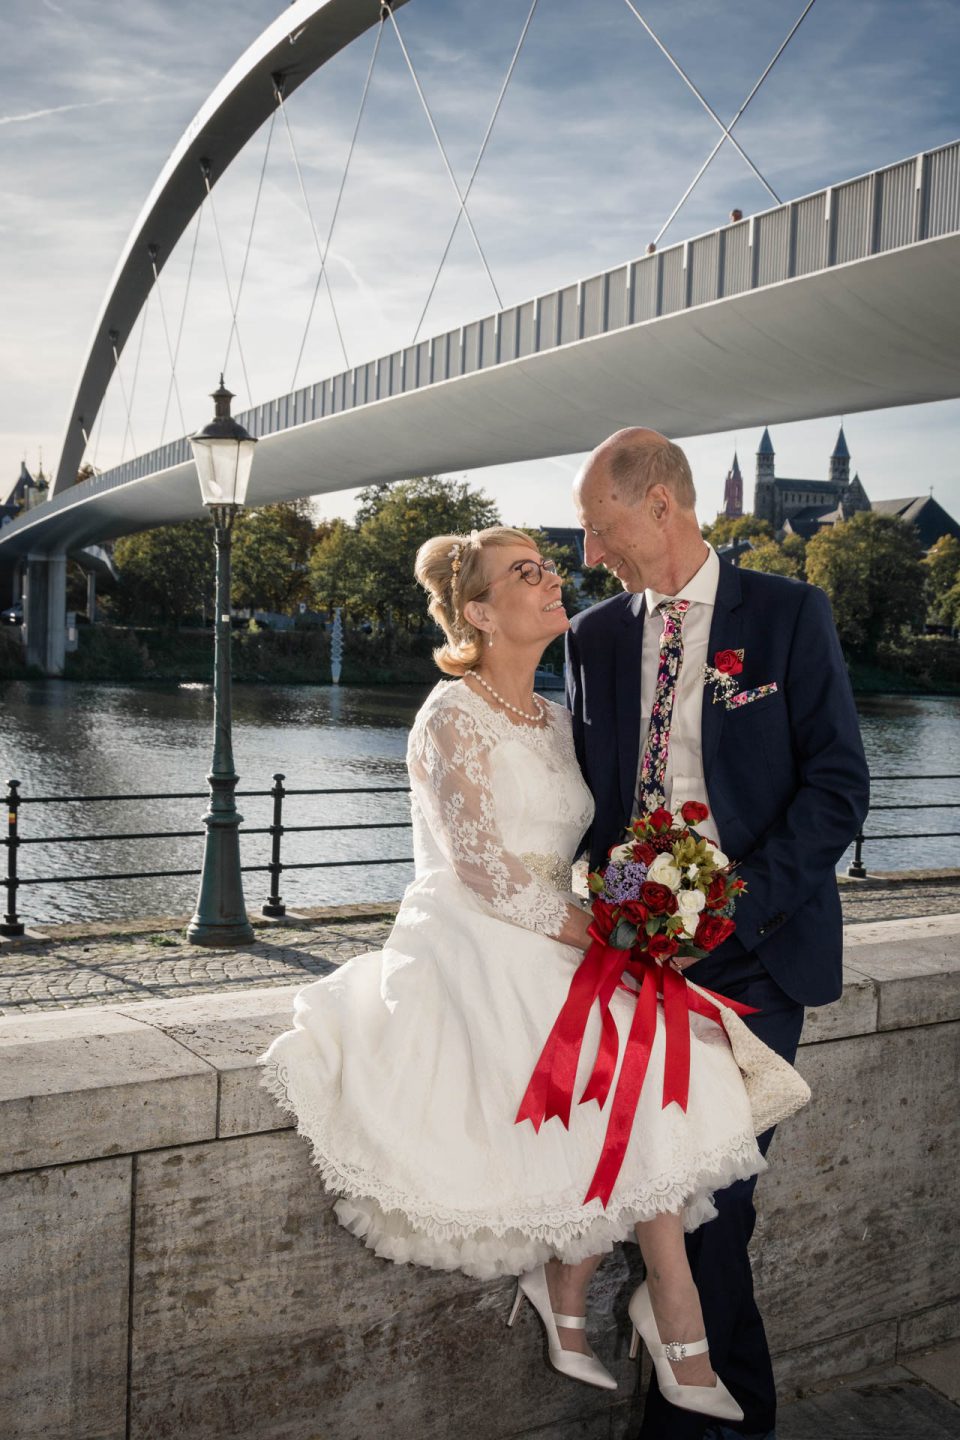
787,777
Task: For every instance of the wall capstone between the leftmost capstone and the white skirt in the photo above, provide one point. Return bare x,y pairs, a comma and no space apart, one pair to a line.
228,1033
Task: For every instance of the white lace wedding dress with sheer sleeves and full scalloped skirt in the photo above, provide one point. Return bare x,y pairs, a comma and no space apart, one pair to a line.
407,1066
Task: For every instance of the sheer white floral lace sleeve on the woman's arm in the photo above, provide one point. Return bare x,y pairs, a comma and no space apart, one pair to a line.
451,760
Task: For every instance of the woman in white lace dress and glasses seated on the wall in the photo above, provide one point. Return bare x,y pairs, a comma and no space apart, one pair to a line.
405,1068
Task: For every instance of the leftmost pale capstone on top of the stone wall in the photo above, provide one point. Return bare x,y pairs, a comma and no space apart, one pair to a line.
87,1084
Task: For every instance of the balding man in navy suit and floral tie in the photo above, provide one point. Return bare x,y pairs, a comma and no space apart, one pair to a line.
782,771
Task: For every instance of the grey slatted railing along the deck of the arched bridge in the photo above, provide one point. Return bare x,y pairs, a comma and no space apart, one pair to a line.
916,199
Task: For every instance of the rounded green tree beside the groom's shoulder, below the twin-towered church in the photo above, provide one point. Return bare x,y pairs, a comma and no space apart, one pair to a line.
870,567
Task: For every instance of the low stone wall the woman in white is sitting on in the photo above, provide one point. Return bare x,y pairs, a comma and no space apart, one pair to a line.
172,1266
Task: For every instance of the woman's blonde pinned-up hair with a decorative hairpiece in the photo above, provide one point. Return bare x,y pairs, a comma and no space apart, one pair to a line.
453,572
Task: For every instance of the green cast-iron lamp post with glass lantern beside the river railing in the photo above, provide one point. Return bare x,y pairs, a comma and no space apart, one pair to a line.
224,454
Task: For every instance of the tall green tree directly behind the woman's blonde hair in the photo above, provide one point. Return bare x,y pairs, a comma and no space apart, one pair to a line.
397,522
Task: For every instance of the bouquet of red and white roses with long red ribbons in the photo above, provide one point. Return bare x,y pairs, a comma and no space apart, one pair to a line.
666,895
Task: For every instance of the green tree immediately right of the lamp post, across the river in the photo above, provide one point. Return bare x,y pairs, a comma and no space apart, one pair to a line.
271,555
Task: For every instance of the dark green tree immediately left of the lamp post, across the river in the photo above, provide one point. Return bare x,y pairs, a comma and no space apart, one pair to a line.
166,572
